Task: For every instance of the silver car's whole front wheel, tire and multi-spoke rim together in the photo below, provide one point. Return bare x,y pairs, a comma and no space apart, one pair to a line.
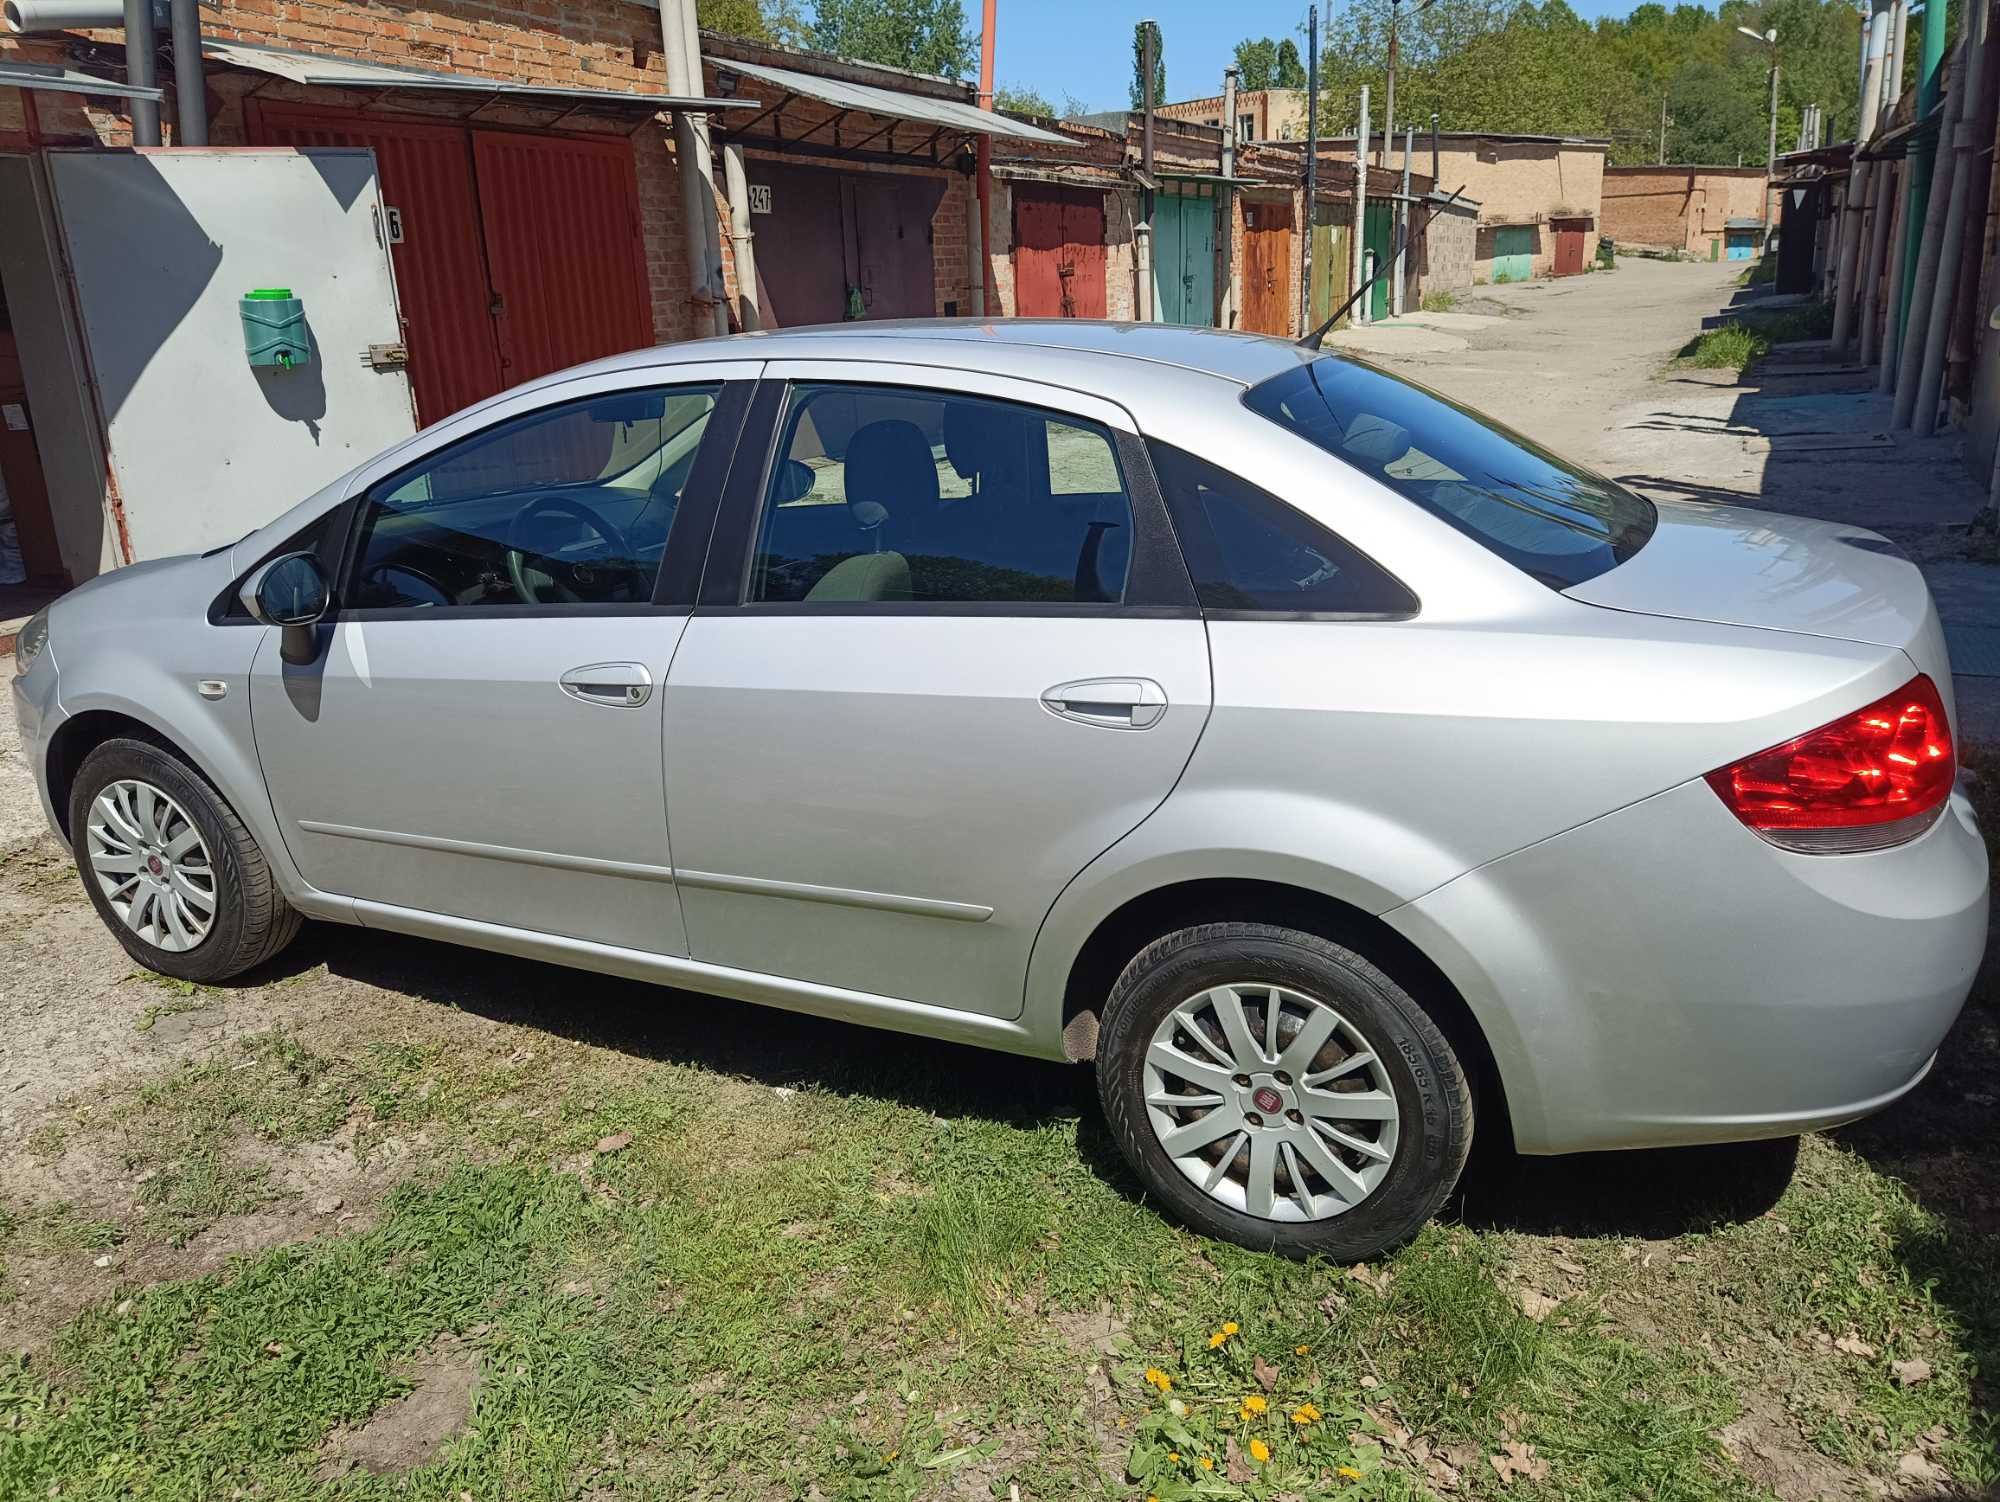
171,869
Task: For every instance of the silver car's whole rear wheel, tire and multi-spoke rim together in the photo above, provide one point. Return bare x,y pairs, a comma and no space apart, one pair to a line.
1281,1091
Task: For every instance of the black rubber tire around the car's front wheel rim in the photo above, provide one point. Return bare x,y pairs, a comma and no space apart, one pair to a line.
253,921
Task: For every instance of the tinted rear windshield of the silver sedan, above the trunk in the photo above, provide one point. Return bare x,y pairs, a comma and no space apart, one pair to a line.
1509,495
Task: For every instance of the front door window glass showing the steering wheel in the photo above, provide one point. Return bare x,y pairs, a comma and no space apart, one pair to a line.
565,507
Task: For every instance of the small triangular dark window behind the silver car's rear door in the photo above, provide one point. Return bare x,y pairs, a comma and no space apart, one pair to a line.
1247,551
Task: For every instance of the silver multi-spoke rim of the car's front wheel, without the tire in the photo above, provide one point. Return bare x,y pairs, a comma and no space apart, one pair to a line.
151,865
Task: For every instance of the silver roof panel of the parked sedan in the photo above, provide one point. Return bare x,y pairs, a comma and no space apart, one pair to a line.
1059,349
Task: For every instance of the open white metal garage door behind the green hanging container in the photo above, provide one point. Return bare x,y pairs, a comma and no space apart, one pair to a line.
163,247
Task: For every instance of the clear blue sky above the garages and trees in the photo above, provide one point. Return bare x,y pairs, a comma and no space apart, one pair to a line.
1085,47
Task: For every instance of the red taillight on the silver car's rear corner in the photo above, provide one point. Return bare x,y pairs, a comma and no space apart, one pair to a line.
1867,781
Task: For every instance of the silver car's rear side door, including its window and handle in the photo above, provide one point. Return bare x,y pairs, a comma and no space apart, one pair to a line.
947,655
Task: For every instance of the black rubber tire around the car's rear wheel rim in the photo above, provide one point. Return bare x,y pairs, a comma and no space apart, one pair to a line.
1433,1095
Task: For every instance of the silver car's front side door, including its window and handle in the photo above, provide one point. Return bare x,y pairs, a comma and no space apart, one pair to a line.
481,729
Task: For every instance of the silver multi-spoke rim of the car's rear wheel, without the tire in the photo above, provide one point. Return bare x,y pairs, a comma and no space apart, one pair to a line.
1271,1101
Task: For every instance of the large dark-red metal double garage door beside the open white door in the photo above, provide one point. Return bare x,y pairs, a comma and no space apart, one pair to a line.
519,253
